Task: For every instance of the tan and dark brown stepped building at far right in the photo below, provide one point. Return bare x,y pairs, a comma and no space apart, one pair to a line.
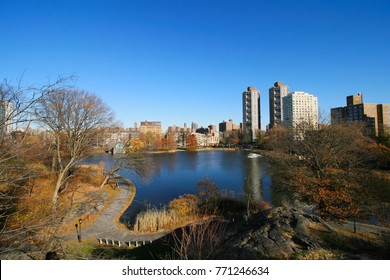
375,116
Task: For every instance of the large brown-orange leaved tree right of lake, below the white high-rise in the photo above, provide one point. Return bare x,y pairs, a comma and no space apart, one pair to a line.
323,167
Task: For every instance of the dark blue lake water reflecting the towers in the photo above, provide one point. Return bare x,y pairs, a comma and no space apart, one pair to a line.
175,174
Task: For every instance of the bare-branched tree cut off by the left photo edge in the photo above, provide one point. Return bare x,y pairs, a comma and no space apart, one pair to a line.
21,156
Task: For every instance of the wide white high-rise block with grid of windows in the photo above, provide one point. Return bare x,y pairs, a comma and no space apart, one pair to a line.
300,110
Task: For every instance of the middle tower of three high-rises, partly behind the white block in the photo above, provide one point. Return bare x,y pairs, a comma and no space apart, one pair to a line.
276,94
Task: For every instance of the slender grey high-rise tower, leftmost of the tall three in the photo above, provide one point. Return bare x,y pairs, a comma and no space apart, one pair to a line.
251,112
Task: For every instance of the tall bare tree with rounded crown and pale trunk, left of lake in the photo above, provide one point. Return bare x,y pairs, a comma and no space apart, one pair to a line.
73,117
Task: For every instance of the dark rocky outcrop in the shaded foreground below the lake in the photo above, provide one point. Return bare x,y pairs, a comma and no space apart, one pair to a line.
277,233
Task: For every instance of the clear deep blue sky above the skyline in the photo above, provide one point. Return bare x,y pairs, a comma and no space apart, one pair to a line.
183,61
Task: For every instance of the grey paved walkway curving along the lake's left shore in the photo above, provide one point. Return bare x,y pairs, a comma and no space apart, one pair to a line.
105,226
